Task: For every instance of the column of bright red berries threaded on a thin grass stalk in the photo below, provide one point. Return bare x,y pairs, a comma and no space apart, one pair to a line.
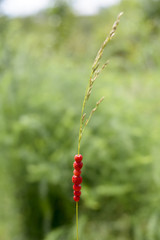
77,179
